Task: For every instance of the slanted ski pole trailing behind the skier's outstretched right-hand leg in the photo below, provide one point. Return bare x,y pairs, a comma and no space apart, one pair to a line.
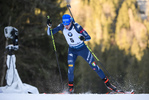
102,65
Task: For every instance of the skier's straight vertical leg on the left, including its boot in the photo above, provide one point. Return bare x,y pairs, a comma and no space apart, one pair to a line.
71,63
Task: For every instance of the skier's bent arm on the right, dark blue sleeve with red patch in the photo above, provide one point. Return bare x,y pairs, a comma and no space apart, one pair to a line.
85,36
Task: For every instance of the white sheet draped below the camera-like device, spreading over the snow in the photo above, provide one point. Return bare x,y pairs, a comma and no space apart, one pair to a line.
14,83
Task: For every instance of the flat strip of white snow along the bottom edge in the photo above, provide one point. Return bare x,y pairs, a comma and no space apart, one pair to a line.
74,96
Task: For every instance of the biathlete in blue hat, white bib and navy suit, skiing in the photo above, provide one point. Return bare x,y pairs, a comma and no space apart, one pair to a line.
75,36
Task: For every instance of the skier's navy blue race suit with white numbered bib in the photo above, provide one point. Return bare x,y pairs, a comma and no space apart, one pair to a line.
77,48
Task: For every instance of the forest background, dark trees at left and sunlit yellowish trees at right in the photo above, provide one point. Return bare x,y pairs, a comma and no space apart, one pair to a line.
119,38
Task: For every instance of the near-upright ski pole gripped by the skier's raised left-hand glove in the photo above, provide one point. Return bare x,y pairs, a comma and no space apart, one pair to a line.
57,59
